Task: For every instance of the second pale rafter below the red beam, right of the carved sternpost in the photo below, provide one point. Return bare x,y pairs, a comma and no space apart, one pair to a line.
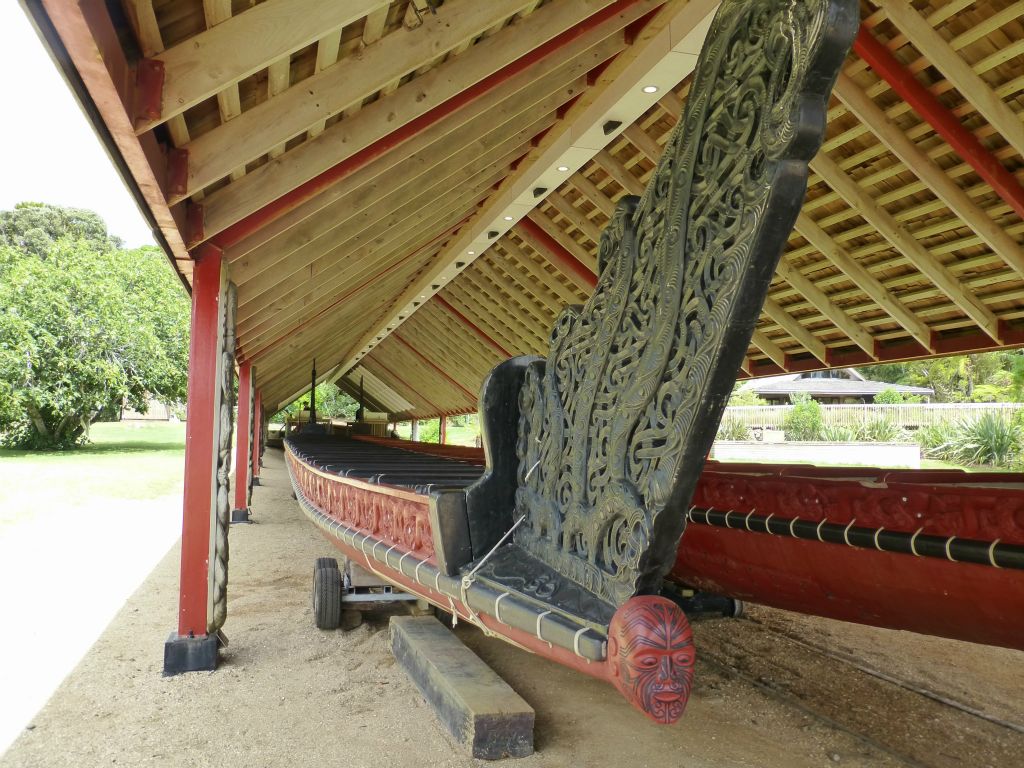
905,242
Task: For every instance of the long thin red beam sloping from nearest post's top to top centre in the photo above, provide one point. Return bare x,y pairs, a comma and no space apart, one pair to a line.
302,194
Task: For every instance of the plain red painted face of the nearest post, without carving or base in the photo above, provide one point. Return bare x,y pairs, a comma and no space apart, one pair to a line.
199,495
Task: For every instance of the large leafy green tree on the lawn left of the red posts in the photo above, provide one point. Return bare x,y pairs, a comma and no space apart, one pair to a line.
84,327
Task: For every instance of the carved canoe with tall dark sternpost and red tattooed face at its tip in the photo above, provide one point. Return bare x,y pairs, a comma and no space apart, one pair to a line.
594,453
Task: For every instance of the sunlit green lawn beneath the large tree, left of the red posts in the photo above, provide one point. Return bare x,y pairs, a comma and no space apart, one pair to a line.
122,462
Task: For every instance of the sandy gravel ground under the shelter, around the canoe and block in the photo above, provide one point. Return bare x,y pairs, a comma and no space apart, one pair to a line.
288,695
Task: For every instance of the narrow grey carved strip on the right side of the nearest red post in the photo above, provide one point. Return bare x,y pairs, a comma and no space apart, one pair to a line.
221,523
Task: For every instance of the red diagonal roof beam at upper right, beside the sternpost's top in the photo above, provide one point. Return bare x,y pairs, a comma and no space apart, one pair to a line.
946,123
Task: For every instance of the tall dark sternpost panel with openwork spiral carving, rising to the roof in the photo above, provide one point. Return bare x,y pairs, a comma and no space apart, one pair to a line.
616,424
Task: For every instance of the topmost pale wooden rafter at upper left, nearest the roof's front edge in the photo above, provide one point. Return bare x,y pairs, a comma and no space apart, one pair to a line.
212,61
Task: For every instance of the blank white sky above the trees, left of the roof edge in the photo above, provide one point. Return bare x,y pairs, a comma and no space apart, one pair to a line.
52,154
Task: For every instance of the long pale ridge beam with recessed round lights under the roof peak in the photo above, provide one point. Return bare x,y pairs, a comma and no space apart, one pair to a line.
667,49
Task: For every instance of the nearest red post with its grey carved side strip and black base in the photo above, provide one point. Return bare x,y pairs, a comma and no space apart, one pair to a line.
206,513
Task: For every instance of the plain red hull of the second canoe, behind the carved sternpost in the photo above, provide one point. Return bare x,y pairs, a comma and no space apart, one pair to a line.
978,604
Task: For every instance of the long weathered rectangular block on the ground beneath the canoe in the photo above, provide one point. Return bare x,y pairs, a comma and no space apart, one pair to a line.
489,719
